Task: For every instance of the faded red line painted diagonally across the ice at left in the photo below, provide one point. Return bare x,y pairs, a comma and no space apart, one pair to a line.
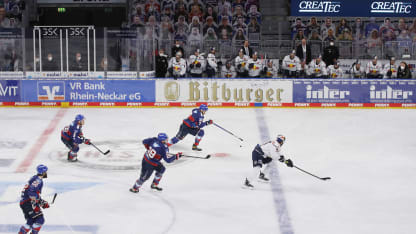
34,151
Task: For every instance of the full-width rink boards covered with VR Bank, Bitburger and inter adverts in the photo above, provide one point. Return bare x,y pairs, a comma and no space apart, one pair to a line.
298,93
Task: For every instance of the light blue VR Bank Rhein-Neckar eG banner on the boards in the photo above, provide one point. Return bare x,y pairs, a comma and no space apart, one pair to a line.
89,90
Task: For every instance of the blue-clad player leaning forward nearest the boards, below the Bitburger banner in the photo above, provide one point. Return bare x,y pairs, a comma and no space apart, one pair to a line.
193,125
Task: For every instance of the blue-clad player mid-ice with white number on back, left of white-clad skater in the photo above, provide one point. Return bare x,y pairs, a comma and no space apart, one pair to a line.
156,149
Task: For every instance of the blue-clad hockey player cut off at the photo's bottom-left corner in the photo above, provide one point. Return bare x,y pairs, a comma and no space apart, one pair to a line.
31,202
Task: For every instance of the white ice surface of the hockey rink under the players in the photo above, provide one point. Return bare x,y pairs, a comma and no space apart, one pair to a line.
368,153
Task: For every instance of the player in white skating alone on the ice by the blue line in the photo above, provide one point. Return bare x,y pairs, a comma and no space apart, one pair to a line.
265,154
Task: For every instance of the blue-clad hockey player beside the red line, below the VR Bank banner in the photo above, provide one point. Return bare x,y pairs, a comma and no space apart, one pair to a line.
72,136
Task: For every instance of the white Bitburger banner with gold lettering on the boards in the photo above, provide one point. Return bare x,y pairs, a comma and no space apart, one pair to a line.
224,91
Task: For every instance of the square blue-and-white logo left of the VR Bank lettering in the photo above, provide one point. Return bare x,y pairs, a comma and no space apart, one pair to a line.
51,90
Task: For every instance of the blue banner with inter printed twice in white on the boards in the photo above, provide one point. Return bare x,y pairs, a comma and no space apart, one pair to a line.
354,91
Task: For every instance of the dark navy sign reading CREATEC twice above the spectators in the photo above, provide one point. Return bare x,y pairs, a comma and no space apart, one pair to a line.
353,8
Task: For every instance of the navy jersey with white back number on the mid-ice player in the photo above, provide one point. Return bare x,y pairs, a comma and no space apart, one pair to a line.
156,150
